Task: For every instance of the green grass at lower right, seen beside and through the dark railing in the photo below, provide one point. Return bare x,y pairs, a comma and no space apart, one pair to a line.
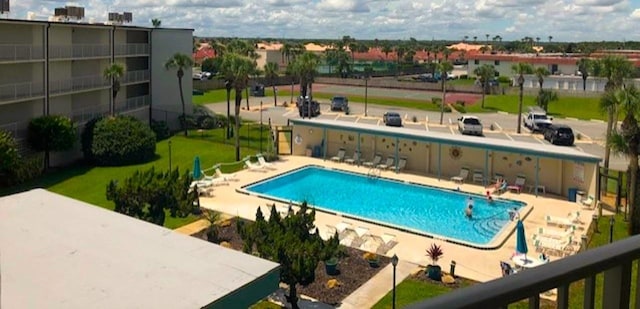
411,291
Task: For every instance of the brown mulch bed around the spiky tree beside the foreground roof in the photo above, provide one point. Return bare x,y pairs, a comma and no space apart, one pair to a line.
353,269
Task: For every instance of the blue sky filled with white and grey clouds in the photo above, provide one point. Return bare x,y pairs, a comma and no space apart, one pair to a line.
564,20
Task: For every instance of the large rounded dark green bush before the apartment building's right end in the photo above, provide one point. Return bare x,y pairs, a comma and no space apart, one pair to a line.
121,140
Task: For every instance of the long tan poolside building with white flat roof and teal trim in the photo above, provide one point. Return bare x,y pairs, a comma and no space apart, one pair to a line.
562,171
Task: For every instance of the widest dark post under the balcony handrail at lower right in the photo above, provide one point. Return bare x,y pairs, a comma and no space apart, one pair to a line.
616,286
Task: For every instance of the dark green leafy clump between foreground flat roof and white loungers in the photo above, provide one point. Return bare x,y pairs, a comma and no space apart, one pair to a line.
149,195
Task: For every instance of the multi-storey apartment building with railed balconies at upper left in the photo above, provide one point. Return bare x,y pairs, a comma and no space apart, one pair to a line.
49,68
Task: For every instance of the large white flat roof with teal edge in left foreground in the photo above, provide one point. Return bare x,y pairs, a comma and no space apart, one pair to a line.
58,252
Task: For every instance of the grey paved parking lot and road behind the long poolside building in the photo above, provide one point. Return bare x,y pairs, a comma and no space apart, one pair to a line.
504,124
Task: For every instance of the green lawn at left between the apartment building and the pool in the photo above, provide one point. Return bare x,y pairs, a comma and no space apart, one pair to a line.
88,183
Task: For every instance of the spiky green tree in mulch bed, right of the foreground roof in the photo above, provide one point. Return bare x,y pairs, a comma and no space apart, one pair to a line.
288,242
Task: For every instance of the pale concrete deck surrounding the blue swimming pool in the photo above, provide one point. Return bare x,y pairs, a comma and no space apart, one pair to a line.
476,264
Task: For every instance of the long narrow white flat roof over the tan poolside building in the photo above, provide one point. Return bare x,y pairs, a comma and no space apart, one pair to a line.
539,150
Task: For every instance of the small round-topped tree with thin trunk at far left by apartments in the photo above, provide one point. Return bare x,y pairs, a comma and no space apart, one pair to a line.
51,133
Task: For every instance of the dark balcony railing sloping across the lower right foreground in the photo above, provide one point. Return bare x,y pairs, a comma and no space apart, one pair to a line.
614,260
